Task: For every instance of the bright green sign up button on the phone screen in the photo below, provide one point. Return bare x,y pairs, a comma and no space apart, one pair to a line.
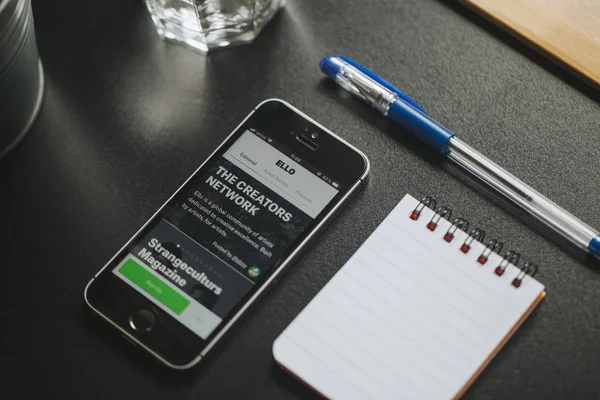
154,286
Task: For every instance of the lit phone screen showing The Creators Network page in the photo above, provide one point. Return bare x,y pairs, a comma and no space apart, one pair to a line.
225,230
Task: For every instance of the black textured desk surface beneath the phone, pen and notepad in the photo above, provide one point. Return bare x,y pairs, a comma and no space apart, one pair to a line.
127,118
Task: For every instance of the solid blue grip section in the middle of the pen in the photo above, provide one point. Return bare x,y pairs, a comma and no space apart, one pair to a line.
420,125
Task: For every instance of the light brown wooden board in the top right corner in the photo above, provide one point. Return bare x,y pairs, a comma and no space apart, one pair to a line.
567,30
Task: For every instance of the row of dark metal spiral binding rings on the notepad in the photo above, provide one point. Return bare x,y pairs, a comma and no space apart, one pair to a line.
475,234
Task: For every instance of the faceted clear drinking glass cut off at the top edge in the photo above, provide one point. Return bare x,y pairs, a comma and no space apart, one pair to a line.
210,24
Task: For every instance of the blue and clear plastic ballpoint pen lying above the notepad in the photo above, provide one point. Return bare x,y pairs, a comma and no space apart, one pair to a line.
399,108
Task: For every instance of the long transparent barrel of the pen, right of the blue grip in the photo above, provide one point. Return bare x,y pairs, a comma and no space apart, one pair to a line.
530,200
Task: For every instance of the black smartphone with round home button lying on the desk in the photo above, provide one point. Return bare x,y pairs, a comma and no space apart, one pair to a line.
184,279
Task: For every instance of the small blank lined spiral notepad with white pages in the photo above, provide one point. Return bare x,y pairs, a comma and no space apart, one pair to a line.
417,312
